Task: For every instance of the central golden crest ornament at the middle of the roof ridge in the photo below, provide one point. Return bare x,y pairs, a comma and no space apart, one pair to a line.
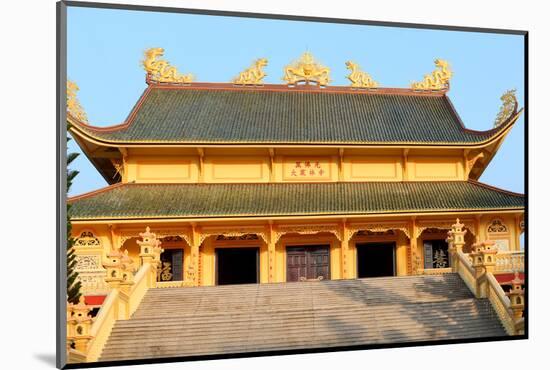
306,70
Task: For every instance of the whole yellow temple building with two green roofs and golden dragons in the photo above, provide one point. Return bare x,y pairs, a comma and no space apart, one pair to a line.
253,183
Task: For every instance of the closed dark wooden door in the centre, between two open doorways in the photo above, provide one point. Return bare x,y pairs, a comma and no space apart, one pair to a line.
307,262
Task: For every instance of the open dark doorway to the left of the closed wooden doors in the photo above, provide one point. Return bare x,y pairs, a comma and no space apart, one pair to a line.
236,266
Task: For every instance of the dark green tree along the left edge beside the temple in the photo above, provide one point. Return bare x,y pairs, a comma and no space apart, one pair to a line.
73,286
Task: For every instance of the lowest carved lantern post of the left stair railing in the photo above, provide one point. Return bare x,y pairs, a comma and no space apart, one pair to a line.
79,323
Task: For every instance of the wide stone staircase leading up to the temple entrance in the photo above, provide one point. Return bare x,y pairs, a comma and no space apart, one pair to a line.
265,317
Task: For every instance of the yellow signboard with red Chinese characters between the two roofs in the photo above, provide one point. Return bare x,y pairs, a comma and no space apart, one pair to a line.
307,169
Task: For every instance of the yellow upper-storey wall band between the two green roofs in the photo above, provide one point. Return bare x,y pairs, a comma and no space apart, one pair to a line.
316,165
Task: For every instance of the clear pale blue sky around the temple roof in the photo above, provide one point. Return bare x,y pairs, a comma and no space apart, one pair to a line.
105,48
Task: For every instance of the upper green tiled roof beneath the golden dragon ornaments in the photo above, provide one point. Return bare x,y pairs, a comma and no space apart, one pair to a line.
282,117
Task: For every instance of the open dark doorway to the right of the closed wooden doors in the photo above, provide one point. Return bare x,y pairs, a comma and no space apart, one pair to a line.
375,259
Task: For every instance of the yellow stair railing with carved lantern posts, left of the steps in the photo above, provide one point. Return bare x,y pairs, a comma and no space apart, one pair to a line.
87,335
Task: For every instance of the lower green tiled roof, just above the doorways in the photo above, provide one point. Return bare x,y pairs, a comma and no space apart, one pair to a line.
285,199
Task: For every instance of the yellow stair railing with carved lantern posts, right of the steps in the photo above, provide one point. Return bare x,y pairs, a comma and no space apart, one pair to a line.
477,268
